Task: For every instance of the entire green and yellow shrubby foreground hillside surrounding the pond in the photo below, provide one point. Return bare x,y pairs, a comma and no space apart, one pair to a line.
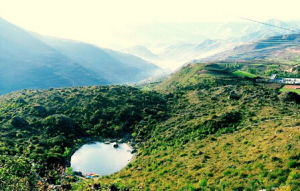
193,133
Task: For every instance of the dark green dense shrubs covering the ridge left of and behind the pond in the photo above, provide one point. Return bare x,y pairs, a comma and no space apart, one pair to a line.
46,126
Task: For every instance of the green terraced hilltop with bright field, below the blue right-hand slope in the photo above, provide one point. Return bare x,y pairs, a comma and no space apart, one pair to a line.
224,73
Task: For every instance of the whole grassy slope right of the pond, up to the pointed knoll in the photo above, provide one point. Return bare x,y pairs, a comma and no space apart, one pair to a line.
186,153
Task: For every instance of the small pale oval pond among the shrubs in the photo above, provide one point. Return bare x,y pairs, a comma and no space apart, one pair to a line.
101,158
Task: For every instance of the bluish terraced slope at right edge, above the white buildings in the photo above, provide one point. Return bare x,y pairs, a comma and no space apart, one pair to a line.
278,48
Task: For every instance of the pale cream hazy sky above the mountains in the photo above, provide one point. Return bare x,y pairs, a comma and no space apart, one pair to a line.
100,21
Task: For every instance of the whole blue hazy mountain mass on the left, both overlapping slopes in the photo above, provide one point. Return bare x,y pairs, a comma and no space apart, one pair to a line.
30,61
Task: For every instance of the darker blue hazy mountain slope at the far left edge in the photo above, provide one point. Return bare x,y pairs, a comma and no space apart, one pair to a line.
26,62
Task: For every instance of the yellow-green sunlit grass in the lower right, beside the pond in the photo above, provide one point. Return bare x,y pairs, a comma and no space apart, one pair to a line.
233,164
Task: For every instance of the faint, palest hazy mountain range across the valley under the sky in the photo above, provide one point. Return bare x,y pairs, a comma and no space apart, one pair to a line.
178,43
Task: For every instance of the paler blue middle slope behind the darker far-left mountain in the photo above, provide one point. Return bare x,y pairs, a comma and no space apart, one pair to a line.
114,66
